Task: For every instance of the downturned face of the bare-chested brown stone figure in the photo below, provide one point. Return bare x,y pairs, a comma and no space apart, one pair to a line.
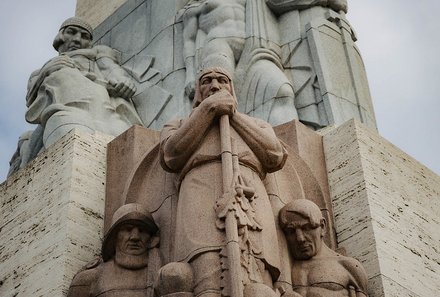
304,239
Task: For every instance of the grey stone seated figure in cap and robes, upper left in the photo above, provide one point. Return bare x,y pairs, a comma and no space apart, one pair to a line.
84,87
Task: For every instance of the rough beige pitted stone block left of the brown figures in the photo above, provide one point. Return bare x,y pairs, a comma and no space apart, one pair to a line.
51,216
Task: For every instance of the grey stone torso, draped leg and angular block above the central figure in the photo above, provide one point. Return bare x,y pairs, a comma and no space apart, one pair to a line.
290,59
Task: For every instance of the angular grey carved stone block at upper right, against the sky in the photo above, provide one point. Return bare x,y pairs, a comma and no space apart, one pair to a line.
319,53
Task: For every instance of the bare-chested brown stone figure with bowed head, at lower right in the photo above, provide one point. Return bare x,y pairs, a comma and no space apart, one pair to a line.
317,270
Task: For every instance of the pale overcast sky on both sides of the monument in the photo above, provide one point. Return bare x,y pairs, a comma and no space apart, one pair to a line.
399,41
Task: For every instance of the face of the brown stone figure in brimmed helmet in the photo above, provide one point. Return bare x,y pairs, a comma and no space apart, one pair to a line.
132,239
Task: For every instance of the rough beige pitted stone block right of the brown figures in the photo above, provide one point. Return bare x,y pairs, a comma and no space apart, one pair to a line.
387,211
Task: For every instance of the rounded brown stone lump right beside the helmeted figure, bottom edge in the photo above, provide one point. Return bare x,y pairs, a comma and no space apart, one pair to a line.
175,279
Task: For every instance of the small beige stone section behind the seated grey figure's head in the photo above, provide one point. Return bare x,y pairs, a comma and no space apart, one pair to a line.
96,11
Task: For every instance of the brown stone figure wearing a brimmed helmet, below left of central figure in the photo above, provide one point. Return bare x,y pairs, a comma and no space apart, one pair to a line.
130,260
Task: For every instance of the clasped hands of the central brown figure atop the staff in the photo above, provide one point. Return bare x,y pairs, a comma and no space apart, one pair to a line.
221,103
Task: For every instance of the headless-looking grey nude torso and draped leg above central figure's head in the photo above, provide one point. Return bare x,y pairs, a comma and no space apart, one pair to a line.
234,35
